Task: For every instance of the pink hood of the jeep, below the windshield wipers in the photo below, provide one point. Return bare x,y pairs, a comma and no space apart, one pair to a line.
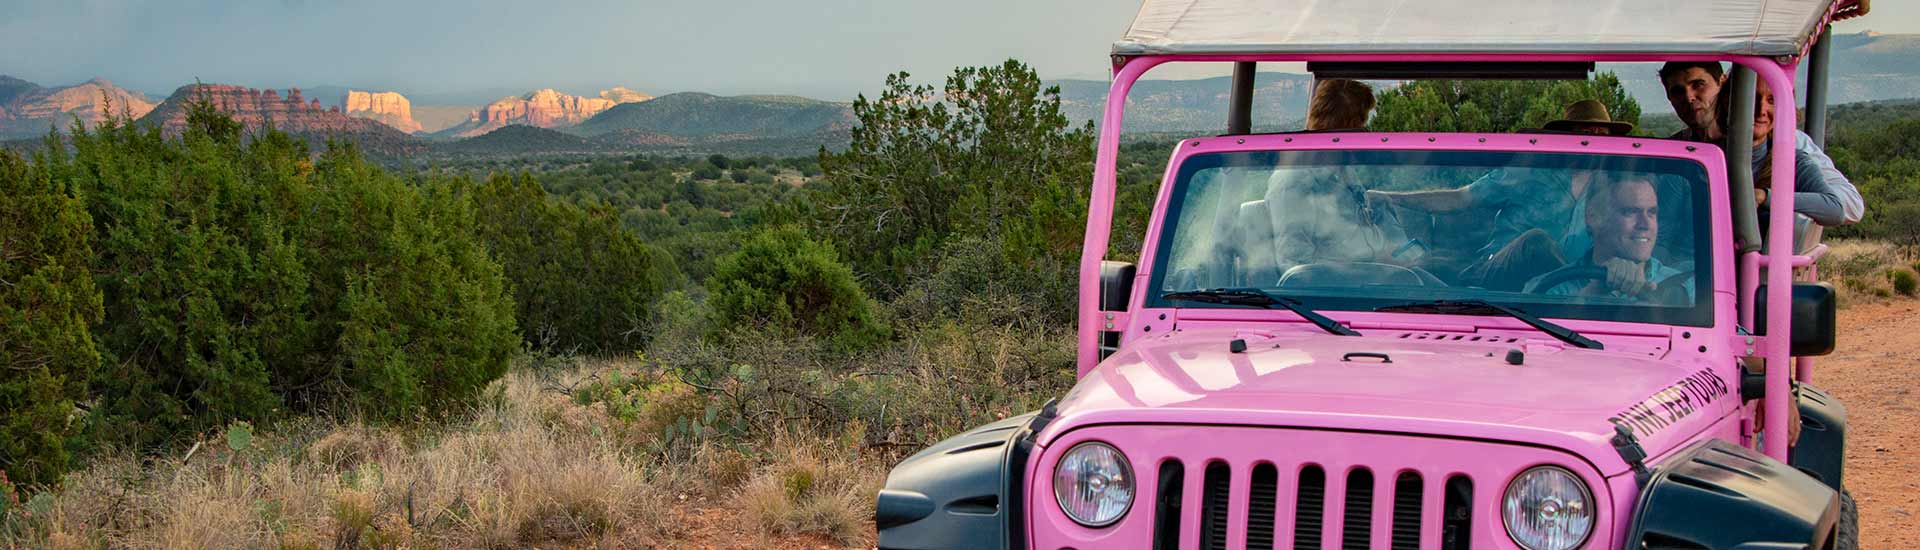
1558,397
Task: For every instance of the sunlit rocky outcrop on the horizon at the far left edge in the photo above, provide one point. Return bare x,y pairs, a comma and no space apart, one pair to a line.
28,109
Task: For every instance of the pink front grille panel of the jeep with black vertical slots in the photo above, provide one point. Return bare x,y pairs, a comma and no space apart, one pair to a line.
1274,489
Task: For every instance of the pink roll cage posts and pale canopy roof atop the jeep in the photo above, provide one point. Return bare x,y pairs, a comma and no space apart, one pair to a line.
1765,45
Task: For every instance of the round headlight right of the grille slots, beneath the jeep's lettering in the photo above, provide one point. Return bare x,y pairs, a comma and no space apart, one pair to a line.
1548,509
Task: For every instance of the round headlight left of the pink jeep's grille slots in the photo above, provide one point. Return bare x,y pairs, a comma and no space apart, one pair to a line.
1093,484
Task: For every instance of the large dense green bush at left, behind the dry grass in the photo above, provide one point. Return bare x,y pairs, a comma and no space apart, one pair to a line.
241,276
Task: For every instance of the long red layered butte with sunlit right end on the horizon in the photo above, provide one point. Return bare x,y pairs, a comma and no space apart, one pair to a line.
293,114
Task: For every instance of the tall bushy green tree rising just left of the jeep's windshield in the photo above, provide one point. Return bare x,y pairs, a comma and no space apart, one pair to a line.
990,155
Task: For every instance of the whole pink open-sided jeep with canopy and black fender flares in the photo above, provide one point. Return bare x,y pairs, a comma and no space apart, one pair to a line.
1310,361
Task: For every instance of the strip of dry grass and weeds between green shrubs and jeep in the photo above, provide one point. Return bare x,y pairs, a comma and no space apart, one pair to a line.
579,451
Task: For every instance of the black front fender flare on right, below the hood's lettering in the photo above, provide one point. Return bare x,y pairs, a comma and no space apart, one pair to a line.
1719,495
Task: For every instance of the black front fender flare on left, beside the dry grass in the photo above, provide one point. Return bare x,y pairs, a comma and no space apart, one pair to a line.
965,491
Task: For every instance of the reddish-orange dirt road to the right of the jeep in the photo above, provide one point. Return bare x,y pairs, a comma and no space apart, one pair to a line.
1875,372
